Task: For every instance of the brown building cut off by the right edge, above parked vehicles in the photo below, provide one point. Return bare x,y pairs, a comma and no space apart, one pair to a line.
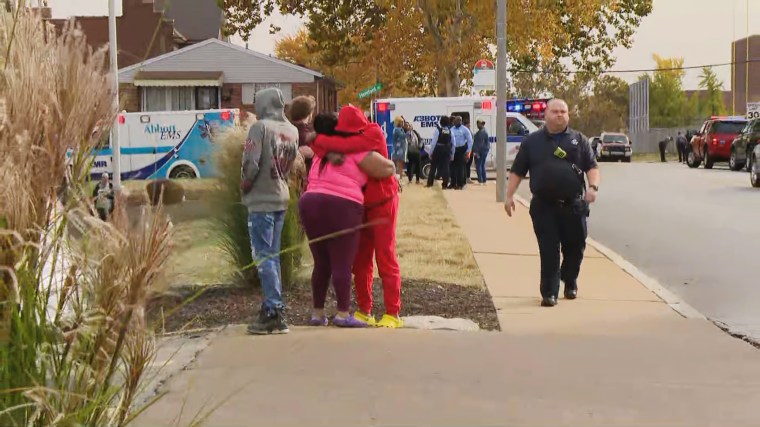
742,91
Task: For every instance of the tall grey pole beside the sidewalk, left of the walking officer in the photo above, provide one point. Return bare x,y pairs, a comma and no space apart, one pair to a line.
501,101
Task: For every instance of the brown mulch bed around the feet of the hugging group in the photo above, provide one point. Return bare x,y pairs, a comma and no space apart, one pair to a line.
222,305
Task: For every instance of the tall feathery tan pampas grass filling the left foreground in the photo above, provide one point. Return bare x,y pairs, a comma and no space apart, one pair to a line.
74,343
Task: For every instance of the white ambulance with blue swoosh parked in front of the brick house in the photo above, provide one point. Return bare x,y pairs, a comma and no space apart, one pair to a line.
165,144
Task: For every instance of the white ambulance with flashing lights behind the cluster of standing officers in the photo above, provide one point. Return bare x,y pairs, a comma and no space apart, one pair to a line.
424,114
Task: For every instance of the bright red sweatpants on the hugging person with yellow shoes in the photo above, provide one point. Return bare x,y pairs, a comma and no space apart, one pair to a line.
379,240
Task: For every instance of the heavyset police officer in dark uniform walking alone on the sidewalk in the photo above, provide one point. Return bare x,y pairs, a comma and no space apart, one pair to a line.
557,158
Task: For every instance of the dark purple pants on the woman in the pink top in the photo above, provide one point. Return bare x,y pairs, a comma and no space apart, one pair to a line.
322,215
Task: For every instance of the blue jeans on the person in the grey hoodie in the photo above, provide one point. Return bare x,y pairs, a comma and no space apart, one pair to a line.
265,231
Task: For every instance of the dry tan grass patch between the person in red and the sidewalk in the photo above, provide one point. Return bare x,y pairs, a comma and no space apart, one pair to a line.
430,243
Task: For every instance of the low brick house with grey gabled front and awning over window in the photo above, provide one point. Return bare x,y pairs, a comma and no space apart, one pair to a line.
217,74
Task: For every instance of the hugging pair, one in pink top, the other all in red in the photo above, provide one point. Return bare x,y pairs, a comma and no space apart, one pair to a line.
349,212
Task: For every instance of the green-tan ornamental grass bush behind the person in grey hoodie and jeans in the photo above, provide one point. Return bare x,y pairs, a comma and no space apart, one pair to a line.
231,217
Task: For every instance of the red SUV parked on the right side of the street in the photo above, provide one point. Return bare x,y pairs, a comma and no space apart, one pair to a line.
714,140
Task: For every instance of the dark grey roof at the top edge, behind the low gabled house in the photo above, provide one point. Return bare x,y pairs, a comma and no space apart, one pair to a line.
194,19
